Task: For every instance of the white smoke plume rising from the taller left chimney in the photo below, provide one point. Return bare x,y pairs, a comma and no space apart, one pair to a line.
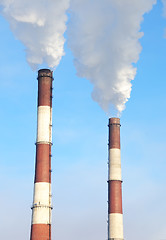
40,25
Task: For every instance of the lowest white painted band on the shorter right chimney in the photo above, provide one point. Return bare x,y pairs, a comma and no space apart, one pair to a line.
115,226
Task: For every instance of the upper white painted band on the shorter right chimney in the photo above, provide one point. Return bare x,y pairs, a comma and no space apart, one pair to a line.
115,164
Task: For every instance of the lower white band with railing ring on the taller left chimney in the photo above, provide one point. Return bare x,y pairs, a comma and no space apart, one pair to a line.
42,203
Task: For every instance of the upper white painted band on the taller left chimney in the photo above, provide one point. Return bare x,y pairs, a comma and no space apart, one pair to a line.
44,125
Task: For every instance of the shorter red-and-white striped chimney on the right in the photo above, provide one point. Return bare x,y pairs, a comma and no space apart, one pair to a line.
115,214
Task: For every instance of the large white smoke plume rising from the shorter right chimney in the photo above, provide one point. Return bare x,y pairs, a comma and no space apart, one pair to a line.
104,38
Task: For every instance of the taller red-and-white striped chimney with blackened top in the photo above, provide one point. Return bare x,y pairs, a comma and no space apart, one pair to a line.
41,208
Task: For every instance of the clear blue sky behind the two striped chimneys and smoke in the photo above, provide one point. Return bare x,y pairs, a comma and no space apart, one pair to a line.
80,136
